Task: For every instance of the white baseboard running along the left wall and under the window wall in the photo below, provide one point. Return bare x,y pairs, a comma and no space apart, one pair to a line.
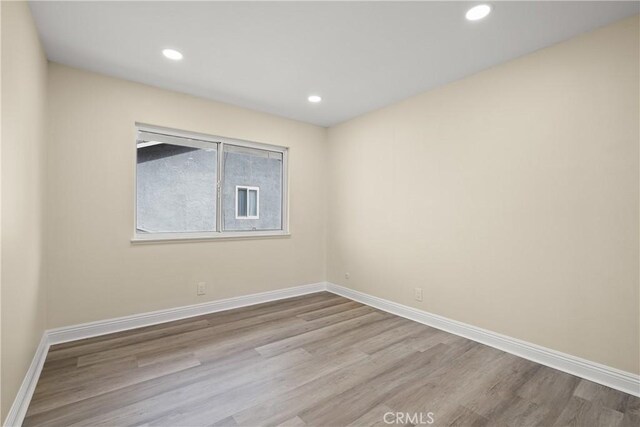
50,337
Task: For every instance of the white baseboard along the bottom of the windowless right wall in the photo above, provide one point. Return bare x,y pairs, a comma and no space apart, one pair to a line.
601,374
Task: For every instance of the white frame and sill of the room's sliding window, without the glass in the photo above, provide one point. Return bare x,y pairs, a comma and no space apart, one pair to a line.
203,140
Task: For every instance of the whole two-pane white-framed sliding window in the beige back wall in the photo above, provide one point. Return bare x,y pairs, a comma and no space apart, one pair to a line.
198,186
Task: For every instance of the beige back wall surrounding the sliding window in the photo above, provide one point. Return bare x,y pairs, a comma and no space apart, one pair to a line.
95,272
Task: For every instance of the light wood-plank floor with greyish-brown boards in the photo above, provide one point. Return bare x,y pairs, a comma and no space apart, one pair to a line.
319,360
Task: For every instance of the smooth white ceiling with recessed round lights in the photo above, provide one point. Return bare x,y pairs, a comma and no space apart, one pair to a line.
270,56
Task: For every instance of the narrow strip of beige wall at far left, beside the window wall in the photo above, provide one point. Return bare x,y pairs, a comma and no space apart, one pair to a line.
24,69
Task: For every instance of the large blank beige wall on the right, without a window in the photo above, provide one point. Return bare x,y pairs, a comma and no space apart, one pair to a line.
510,197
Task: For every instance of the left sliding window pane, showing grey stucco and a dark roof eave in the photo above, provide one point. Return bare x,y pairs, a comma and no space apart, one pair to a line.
176,186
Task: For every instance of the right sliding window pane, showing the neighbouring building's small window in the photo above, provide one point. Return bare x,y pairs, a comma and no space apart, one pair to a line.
260,173
